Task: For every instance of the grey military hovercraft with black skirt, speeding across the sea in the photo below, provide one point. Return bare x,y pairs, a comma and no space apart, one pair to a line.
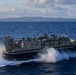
28,47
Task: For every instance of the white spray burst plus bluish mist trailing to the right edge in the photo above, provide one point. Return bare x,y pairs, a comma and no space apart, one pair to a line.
52,55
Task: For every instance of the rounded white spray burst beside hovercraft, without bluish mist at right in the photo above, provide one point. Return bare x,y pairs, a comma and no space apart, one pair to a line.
50,55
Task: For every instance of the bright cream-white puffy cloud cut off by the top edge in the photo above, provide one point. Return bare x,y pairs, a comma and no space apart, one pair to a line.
38,3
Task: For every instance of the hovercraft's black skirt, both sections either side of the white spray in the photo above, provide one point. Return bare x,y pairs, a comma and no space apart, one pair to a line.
31,55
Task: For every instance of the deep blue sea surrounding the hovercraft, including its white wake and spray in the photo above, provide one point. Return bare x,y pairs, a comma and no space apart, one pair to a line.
52,62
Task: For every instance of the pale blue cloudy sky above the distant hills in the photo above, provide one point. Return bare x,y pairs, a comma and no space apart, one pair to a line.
38,8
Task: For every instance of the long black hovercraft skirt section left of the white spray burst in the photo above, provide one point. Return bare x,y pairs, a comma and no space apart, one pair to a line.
20,55
